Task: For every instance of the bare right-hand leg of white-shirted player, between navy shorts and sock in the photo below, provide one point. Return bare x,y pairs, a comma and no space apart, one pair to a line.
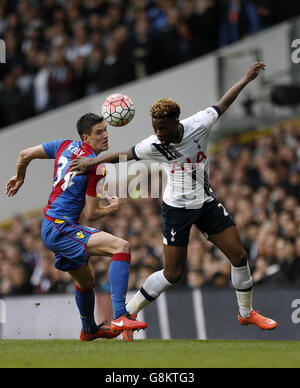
229,242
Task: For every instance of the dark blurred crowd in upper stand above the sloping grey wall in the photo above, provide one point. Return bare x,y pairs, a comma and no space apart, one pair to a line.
58,51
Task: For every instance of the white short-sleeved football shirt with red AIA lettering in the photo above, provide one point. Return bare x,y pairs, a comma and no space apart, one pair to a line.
185,163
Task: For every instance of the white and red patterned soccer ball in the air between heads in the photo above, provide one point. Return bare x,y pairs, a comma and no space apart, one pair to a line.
118,110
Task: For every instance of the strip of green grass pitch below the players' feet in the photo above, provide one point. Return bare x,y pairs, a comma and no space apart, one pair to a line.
149,354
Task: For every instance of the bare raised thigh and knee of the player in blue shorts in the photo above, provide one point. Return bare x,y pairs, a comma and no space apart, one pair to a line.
105,244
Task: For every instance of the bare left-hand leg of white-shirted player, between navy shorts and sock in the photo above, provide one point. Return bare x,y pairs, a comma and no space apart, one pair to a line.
175,261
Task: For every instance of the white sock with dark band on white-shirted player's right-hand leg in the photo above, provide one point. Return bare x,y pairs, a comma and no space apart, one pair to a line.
242,282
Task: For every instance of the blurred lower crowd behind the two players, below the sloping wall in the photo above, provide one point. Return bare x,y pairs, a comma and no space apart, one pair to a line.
258,182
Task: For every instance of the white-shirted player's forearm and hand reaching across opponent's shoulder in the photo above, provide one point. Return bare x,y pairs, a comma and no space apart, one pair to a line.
82,165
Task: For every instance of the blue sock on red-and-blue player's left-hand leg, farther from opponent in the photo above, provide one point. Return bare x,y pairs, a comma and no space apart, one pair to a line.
85,300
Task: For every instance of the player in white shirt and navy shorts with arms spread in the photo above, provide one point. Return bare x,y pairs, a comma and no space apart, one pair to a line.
181,146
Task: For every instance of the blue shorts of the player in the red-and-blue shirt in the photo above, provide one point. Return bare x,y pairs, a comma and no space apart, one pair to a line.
68,243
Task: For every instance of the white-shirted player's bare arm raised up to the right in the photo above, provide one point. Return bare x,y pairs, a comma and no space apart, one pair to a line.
233,93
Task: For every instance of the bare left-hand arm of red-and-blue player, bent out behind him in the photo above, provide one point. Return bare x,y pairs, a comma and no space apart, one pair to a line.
25,157
